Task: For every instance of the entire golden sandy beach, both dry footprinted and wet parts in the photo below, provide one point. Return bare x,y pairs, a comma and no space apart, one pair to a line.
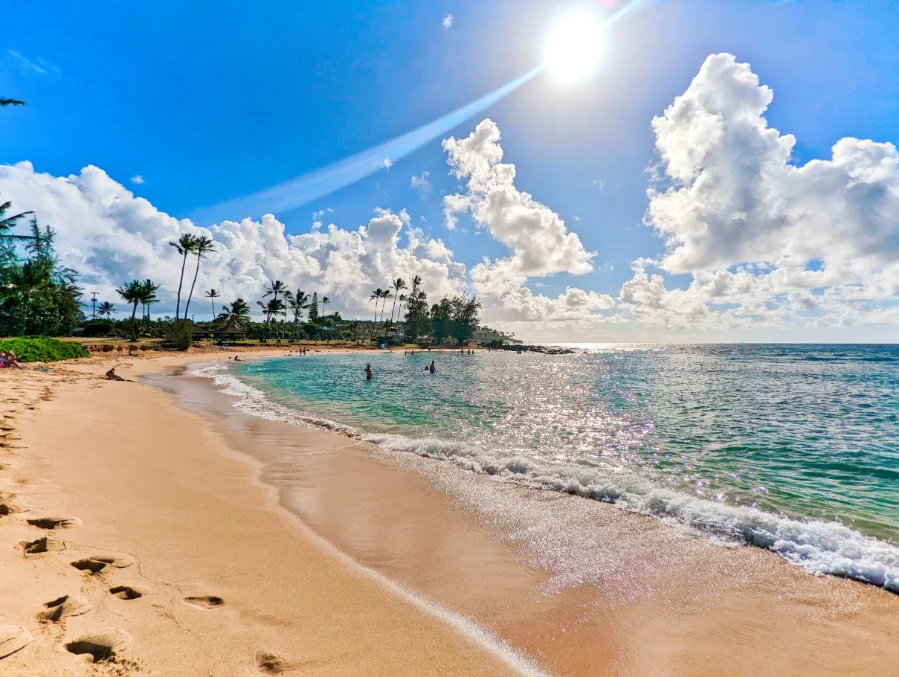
150,527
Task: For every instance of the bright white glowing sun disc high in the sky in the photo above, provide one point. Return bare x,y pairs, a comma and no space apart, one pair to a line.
574,47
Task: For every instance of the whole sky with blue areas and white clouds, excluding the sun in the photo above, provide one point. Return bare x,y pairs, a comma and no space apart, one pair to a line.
727,172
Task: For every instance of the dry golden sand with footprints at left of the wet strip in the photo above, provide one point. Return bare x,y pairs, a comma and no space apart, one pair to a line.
167,556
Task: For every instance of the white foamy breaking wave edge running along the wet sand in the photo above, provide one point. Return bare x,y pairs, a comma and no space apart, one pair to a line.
819,547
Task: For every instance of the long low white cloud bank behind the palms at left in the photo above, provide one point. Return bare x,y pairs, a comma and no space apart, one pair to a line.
110,236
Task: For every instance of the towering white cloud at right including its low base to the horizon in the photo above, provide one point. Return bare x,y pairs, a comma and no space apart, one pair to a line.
767,243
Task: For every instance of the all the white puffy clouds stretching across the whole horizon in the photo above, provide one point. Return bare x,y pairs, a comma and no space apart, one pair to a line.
750,239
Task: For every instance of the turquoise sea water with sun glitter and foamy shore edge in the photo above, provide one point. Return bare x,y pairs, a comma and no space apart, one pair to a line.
795,448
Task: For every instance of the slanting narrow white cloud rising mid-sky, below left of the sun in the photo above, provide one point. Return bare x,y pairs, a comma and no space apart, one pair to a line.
539,241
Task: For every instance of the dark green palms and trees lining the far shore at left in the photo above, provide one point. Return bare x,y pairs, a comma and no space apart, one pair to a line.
38,296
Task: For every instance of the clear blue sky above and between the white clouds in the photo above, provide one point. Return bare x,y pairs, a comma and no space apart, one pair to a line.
213,101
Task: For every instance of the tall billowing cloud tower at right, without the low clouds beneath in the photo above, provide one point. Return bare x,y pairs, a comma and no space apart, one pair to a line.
734,197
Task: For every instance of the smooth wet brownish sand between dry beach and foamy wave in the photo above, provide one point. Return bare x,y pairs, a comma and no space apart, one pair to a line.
581,586
